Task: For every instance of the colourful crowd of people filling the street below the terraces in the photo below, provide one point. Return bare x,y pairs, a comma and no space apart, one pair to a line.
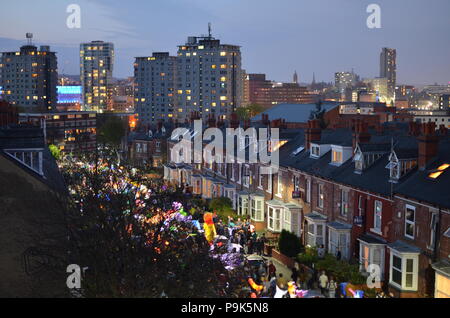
249,272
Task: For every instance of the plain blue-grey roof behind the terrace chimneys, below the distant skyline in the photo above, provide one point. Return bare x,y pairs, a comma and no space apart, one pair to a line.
293,113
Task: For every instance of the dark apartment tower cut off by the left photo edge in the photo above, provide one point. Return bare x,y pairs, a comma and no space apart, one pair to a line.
29,77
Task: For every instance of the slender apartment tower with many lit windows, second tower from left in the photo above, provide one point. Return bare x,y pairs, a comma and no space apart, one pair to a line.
97,64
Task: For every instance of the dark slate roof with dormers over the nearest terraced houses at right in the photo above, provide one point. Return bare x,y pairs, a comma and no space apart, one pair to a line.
416,184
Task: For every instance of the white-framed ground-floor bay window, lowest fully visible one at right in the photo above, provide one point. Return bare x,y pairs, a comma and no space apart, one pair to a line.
404,262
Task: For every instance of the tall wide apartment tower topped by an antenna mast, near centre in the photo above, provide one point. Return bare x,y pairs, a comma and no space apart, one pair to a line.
209,78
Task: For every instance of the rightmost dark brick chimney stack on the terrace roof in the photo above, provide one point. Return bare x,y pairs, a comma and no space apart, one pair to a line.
428,144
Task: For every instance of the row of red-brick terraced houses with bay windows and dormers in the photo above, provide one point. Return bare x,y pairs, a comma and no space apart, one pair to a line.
380,196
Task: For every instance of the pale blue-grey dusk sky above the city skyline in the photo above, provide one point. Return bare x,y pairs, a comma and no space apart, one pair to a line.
277,37
